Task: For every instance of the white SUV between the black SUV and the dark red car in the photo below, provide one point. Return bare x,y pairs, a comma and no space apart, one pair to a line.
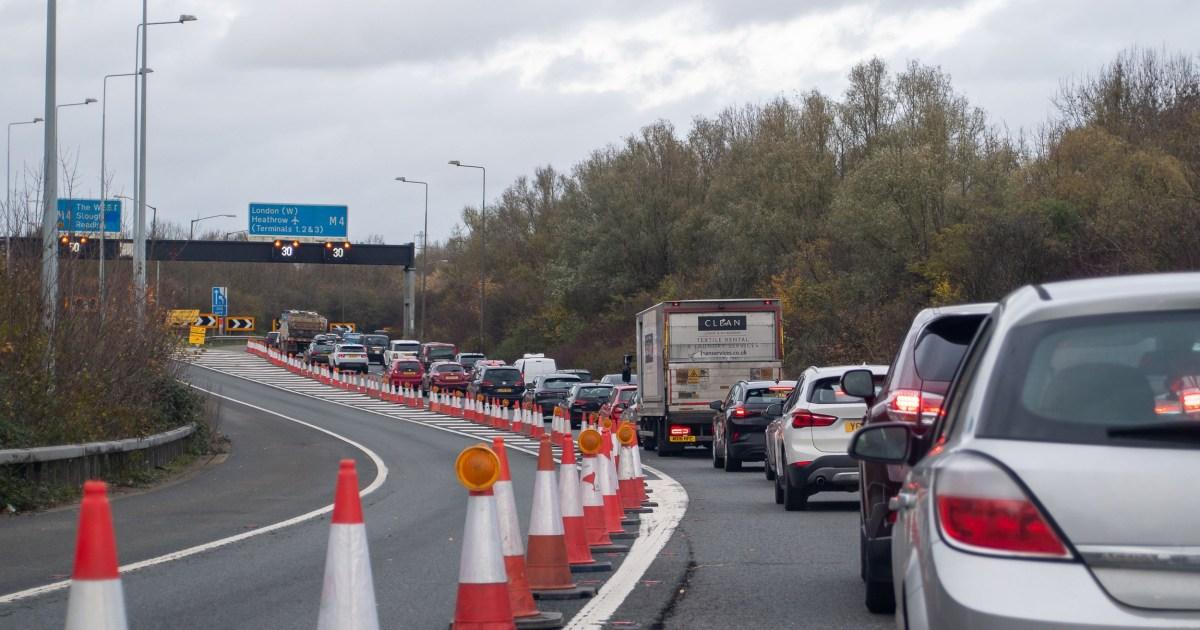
807,442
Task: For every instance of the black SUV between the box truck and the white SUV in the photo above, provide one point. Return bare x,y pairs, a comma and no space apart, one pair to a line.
740,423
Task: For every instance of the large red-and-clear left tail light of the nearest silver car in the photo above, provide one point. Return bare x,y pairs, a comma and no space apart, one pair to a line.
981,508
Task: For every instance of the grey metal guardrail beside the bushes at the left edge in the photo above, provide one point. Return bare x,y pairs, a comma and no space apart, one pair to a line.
75,464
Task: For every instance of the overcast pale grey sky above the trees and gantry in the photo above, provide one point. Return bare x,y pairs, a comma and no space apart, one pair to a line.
327,103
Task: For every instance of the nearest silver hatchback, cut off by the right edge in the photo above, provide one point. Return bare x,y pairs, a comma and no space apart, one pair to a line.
1059,490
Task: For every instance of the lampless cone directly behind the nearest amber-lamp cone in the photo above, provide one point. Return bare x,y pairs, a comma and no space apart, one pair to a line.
525,613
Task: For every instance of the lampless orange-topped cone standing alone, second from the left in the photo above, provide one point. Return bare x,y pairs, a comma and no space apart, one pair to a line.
347,599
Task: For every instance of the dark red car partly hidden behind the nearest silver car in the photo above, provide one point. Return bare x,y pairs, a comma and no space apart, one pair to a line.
919,380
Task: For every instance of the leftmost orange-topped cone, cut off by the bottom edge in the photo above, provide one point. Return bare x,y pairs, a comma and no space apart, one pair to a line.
97,602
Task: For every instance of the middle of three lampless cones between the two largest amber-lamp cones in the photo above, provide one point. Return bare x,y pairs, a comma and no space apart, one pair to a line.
550,574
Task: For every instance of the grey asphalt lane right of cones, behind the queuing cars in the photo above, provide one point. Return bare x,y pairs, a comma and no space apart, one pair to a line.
740,561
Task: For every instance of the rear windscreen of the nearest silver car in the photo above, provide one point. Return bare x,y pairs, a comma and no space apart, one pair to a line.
1099,380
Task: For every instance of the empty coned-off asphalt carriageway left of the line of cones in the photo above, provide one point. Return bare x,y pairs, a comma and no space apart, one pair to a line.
415,524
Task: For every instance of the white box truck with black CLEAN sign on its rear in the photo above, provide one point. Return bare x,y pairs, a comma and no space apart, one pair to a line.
692,352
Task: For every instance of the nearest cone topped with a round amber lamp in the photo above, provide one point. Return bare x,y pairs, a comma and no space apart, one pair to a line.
483,598
